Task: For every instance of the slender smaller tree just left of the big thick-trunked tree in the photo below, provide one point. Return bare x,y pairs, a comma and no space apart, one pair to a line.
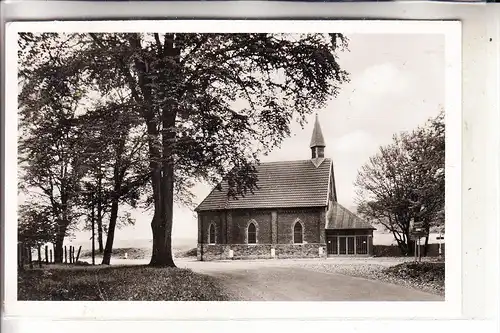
118,171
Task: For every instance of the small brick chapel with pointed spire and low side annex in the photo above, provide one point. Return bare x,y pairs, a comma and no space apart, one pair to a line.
293,213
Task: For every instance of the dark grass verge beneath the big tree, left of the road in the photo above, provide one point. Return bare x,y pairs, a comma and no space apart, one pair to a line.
121,283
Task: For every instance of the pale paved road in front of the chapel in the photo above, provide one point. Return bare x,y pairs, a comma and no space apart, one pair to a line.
266,282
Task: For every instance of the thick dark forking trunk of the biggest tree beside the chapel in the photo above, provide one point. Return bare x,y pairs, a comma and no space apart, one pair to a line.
162,173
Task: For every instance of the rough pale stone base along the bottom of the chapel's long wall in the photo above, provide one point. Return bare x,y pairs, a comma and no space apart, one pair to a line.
259,251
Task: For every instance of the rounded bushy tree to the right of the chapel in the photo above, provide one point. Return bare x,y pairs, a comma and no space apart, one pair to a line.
404,183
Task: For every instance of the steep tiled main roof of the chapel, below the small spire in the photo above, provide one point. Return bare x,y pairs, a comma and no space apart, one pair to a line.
280,185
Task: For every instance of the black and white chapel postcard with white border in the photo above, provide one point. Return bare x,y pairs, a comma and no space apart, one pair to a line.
217,167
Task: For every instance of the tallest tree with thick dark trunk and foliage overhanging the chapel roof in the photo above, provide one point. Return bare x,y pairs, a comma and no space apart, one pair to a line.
211,103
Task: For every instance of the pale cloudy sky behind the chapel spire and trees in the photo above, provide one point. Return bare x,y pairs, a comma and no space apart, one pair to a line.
397,82
